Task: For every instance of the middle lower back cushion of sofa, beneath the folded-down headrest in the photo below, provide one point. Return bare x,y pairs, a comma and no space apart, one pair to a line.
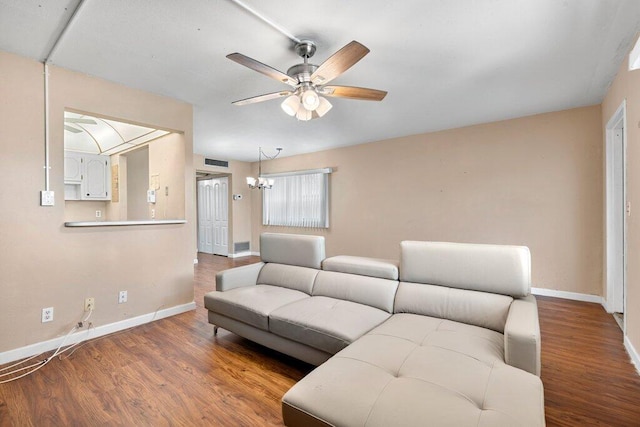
372,291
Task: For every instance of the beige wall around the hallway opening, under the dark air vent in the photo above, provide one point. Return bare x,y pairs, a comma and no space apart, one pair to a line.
239,210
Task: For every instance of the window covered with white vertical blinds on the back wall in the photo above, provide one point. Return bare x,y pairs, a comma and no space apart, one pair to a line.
297,199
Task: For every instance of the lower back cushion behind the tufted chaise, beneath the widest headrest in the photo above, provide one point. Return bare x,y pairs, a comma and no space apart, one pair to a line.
482,309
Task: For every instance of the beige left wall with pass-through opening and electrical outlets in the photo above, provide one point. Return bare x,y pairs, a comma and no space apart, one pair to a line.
45,264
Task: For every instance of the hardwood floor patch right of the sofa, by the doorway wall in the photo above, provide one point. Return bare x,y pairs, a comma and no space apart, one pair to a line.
587,374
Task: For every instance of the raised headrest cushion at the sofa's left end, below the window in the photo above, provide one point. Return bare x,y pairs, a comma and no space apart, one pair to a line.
292,249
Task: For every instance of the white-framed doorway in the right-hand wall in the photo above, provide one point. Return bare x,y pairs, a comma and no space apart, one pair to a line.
616,211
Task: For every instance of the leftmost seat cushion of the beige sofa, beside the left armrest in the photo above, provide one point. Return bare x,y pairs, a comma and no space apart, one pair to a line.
251,304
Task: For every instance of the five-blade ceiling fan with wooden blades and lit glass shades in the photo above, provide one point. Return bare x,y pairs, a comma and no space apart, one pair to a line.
305,101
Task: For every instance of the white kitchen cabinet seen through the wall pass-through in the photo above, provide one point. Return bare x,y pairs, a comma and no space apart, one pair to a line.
87,176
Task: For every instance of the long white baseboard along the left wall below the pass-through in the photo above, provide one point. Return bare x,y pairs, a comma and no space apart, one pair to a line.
52,344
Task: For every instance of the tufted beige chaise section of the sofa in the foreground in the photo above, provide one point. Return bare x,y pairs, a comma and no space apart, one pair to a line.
415,370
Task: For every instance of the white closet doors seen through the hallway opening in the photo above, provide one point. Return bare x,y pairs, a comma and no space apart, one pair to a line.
213,215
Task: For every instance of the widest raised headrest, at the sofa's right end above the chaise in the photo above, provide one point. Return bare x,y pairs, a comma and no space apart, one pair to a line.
499,269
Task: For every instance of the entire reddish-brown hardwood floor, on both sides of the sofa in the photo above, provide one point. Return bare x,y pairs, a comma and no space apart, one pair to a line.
175,372
